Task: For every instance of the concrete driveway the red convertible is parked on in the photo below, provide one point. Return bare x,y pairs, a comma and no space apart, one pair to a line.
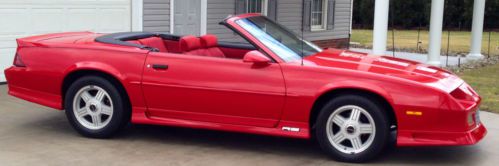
36,135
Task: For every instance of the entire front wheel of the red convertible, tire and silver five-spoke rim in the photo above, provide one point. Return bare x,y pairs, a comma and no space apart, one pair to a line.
352,128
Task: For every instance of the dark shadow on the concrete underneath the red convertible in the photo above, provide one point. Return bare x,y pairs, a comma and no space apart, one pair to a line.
237,142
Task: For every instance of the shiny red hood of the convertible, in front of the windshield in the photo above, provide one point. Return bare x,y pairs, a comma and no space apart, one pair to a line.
388,66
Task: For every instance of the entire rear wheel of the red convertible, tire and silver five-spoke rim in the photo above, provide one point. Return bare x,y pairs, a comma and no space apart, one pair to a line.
95,107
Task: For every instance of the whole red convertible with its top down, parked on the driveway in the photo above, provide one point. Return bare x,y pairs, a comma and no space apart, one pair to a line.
276,84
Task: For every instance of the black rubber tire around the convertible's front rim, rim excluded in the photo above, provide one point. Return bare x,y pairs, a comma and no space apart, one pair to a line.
375,110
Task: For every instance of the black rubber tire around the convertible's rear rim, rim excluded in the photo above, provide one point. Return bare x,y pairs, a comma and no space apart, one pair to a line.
120,112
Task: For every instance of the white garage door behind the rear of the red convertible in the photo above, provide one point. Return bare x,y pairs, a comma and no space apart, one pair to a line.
20,18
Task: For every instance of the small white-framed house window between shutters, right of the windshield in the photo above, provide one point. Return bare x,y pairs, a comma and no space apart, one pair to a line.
318,15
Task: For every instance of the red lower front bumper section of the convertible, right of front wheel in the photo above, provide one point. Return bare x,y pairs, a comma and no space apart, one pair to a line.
408,138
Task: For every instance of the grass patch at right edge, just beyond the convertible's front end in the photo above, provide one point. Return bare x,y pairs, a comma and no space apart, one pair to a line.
486,82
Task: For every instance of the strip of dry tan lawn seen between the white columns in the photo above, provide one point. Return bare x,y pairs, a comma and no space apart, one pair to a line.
407,39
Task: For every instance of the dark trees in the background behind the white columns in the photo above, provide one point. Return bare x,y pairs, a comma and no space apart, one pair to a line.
409,14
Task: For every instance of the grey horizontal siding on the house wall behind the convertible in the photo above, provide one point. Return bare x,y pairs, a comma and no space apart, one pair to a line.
157,18
